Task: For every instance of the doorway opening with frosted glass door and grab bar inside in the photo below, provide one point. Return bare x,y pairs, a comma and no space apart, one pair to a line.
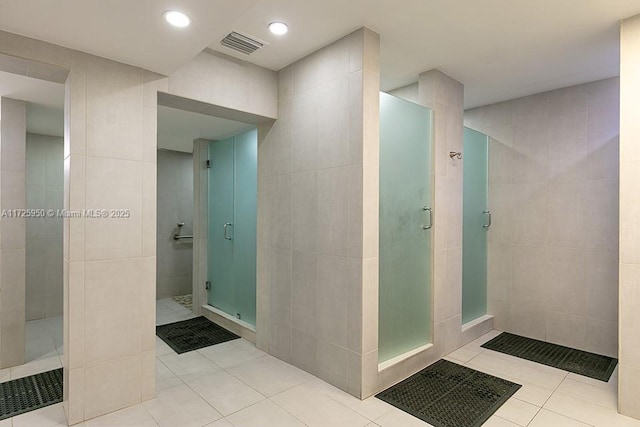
206,215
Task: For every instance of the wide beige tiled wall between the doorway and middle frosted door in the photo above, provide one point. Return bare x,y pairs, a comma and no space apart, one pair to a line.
311,202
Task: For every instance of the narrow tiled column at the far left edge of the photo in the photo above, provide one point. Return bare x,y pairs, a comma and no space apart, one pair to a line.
12,232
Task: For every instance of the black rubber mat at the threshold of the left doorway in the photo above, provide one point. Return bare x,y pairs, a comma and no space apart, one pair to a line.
193,334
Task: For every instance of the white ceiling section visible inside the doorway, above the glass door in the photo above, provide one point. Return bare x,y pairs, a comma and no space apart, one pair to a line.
178,128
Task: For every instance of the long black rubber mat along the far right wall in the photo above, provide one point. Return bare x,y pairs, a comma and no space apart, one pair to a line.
568,359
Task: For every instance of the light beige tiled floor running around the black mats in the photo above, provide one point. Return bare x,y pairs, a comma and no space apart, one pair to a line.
235,385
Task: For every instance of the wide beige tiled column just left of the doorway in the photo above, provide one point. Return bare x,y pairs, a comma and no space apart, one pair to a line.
110,164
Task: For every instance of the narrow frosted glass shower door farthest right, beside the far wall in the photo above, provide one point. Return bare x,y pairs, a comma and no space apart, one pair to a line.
475,223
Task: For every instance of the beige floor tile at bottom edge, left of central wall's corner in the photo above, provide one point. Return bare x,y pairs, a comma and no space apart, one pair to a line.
316,409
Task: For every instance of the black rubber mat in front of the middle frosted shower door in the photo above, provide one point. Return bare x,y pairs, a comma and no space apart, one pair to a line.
446,394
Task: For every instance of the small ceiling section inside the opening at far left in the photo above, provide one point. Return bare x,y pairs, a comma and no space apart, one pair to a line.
45,102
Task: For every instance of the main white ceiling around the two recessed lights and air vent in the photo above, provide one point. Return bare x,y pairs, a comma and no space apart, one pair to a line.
500,49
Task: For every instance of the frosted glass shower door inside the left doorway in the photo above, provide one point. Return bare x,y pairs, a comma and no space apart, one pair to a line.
232,225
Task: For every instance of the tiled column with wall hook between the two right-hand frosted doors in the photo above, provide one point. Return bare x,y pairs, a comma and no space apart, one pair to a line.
445,96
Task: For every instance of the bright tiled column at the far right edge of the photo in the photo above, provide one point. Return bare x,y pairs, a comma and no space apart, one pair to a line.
629,315
